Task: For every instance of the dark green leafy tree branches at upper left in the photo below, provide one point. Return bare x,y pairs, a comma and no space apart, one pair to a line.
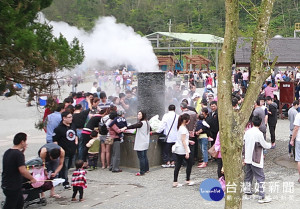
29,53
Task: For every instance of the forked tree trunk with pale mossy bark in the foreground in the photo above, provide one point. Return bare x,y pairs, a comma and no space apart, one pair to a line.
232,123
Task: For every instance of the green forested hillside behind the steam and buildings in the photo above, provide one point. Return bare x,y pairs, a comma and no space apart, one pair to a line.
192,16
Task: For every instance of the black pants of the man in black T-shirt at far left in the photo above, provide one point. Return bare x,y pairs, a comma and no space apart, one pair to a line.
14,199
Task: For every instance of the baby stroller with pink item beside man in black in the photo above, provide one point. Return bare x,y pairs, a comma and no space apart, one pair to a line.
31,192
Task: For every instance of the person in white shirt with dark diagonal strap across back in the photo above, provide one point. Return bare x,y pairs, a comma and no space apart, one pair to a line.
169,127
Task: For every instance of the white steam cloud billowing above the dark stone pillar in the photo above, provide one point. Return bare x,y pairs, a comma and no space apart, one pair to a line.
110,43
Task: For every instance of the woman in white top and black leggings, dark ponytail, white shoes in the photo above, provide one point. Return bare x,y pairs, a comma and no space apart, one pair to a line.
182,150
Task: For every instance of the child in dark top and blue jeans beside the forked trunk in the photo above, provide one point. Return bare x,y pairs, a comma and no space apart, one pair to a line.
202,130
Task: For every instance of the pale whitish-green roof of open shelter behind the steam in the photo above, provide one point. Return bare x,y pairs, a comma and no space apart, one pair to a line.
189,37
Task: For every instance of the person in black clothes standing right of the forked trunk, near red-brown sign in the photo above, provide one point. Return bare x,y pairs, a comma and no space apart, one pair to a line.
272,119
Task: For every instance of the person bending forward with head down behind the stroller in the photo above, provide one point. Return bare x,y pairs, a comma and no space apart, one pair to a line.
53,157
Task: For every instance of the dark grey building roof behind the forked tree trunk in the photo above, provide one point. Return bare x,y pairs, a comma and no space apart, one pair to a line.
287,50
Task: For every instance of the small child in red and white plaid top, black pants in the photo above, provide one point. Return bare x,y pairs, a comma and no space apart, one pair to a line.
78,180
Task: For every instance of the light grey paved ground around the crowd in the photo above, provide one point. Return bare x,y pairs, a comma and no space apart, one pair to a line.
124,190
